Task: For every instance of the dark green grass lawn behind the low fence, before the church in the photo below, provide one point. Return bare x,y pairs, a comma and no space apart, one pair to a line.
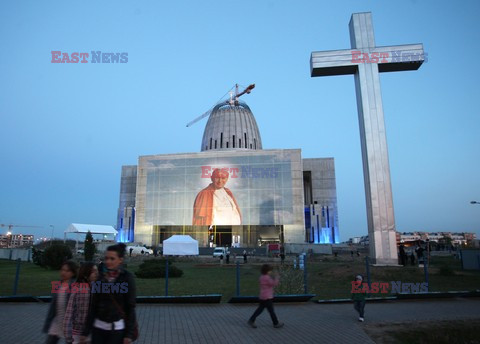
328,277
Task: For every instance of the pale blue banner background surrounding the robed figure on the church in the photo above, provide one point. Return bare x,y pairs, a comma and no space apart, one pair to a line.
260,186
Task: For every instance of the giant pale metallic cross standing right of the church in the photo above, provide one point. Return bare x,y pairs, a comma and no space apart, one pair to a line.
365,61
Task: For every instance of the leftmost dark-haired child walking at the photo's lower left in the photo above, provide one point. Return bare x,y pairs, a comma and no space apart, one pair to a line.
60,296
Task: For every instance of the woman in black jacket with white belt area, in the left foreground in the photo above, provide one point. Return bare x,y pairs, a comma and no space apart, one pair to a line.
111,318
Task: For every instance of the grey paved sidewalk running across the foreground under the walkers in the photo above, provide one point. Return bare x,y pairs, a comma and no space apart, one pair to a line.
225,323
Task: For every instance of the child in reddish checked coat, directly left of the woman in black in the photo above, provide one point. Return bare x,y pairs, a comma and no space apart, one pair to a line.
79,303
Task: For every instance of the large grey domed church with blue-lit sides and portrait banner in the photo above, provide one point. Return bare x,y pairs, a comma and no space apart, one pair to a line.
231,193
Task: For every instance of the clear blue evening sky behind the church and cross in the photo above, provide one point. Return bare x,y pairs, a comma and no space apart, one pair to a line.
66,129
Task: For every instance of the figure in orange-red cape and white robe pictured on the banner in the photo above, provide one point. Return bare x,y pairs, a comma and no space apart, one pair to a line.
216,205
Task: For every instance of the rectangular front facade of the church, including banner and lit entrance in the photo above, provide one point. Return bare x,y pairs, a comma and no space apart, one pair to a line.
254,197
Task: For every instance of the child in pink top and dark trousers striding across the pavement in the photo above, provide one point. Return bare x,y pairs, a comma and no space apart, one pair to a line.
267,283
